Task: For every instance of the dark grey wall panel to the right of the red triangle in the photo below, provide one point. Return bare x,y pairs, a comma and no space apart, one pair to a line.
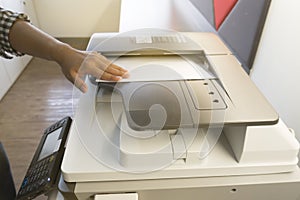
242,29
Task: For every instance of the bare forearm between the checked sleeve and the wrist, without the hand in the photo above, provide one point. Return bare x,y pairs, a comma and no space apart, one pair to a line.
27,39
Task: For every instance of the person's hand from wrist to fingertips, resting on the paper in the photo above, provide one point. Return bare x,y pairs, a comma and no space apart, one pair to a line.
77,64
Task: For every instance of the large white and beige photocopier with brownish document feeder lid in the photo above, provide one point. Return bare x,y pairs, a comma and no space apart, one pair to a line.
188,123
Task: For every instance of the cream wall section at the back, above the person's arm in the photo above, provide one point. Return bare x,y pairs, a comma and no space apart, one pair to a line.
77,18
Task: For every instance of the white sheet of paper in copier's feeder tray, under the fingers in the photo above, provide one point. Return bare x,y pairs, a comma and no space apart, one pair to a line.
162,68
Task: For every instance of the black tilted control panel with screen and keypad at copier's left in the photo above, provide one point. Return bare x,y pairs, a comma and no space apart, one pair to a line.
43,171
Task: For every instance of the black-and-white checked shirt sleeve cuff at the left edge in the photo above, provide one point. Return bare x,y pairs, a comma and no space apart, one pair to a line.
7,19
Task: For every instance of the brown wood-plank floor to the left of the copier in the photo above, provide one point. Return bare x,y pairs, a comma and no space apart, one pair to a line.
40,96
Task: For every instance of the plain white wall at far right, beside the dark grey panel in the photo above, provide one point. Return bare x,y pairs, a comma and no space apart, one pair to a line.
276,69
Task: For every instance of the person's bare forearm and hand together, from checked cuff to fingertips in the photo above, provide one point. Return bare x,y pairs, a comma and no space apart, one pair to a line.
75,64
